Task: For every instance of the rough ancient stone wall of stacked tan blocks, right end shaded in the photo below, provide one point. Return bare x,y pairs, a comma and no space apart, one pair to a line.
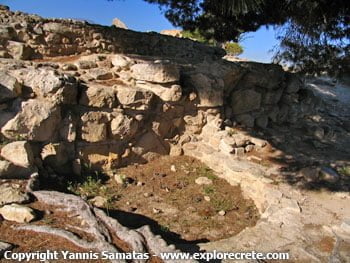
125,97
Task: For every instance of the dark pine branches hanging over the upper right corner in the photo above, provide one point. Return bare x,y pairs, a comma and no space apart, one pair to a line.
314,34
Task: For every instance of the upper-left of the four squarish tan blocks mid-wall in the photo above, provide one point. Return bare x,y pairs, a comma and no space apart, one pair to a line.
99,96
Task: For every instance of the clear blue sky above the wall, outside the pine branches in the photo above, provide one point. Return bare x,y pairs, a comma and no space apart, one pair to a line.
137,15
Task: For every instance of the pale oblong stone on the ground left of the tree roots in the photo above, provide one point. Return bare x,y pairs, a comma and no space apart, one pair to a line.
17,213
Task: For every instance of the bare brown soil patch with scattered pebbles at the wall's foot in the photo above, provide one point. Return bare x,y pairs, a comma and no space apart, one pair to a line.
163,193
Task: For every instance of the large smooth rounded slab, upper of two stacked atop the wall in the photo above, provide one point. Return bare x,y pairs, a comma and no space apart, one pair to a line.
156,72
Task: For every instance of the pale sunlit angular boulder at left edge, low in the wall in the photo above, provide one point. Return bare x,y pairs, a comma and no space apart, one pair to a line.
18,153
